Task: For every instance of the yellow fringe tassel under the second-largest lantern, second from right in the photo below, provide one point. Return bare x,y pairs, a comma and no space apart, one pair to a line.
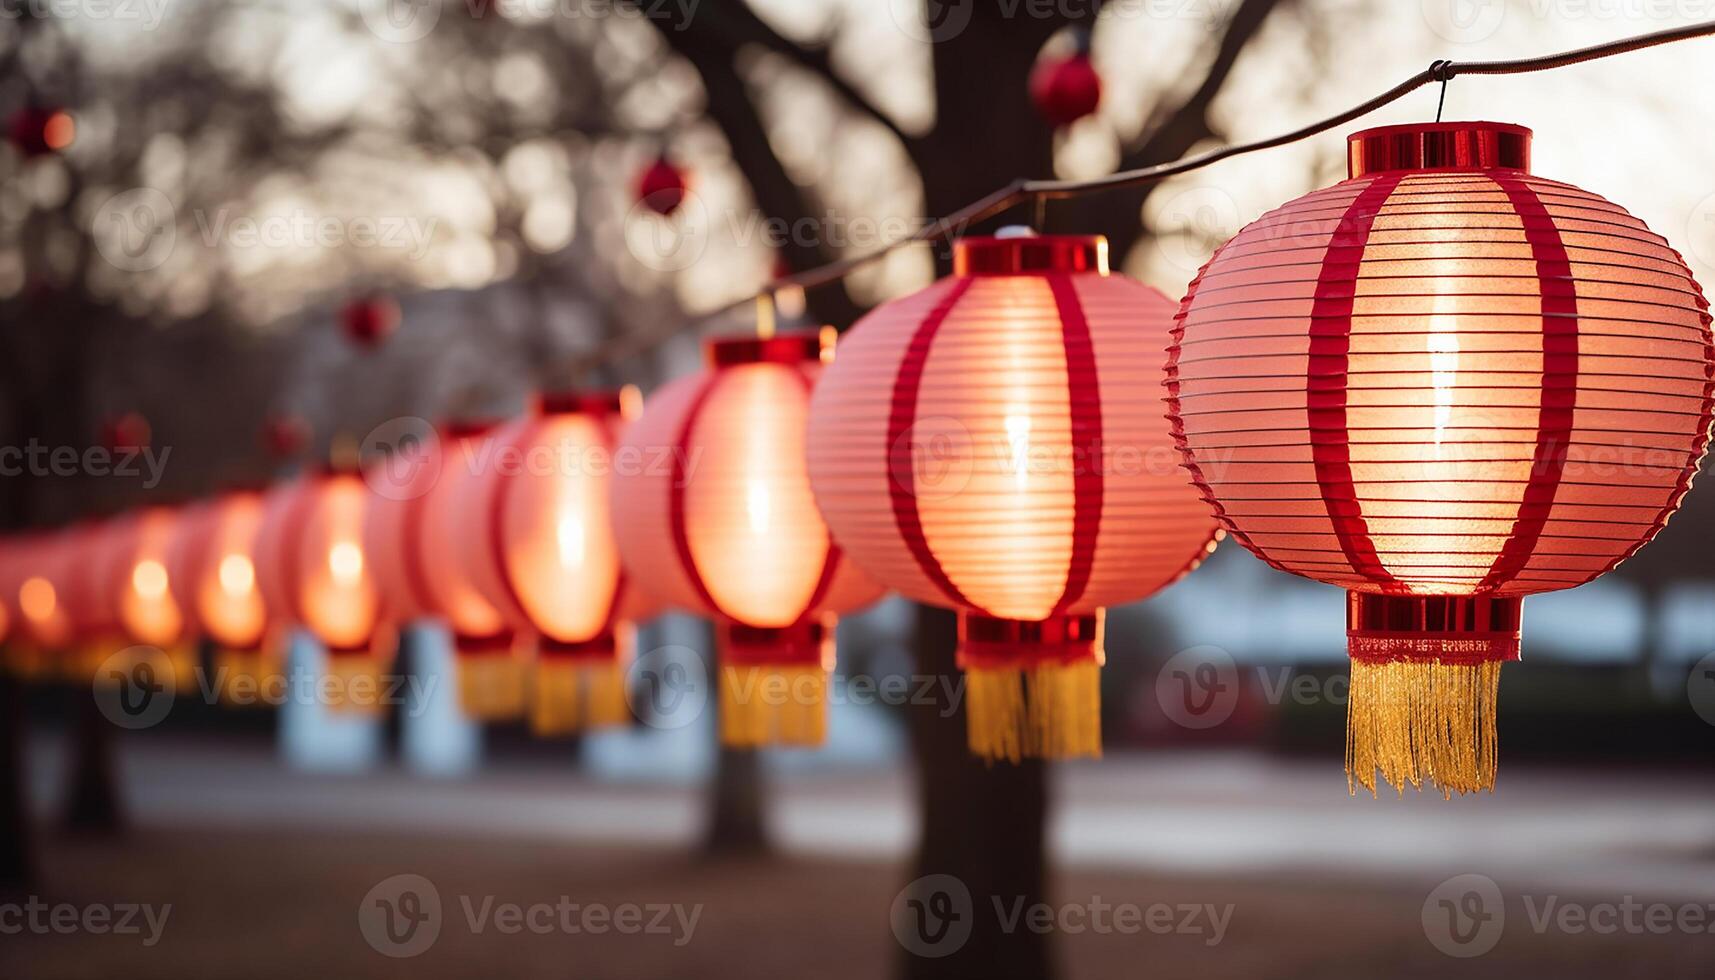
1049,711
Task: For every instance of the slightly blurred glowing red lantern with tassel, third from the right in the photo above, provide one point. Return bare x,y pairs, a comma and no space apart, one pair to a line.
716,517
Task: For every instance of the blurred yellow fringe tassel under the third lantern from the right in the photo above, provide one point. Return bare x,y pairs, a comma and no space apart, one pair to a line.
774,706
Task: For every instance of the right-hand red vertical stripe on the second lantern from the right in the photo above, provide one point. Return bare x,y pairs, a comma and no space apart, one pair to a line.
1085,406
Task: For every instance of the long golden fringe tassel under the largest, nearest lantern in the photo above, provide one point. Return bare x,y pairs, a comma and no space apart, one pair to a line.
1423,722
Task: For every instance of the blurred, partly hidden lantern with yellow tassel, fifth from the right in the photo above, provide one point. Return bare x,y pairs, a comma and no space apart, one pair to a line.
491,674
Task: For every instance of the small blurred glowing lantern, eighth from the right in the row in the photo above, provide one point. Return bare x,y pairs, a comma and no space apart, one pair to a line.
135,586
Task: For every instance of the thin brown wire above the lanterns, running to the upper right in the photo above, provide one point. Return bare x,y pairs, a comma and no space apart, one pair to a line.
1040,191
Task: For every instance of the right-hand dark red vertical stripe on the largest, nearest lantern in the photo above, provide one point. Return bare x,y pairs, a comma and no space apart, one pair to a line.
1560,382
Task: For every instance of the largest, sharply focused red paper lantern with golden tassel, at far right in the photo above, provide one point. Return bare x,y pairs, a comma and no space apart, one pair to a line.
1441,385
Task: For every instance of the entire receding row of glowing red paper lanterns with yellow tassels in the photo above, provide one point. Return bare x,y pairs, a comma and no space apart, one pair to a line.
1441,385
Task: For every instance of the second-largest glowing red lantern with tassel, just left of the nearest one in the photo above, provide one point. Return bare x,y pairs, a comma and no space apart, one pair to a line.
994,444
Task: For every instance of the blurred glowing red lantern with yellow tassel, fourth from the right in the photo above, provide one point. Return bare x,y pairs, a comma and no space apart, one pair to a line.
545,554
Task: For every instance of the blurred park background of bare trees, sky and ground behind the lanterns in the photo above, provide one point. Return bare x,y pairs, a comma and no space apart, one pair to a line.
246,233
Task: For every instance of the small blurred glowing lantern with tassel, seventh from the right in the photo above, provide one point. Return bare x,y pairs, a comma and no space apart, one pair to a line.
215,584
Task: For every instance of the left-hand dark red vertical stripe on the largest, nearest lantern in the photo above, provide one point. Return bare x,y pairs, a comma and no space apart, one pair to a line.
1330,363
